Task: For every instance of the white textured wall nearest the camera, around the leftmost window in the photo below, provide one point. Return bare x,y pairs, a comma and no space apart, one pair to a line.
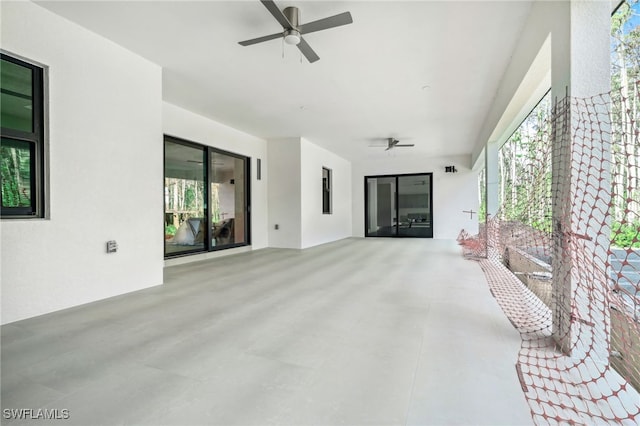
105,141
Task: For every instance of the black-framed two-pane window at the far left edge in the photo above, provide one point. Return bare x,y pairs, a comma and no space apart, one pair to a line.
22,138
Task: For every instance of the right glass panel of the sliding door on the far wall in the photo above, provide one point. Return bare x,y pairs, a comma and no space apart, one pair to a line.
414,206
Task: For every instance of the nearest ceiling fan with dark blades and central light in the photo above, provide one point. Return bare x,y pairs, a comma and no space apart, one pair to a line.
289,18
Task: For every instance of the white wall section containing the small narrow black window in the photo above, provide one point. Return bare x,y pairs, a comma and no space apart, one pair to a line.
319,228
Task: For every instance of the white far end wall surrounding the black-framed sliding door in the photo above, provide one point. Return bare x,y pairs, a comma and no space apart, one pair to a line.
452,192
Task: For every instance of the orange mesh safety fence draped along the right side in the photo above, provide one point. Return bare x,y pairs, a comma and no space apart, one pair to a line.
562,258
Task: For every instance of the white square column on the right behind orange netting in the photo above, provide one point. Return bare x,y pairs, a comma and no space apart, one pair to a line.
580,68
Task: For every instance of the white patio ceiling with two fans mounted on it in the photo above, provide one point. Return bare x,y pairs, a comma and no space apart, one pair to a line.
424,72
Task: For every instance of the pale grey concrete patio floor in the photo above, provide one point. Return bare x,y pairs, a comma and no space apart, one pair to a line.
360,331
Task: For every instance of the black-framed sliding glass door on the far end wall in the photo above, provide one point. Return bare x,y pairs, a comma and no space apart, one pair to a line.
399,206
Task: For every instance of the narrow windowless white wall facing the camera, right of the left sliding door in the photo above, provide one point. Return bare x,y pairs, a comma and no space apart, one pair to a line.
285,194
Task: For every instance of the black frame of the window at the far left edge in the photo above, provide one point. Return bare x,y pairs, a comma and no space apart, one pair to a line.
36,141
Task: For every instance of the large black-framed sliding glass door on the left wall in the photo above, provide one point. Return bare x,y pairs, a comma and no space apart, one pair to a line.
206,193
